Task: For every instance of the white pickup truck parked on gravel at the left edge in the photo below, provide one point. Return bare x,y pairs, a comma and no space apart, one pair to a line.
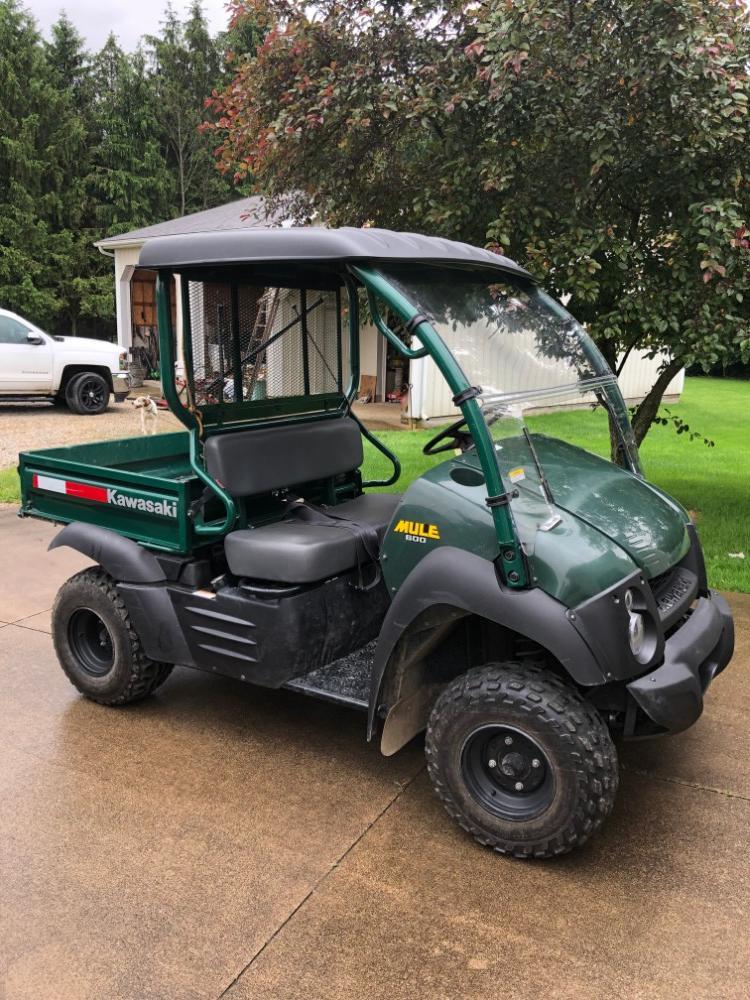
74,371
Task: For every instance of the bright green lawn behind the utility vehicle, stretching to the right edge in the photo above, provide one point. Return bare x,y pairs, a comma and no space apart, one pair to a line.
712,483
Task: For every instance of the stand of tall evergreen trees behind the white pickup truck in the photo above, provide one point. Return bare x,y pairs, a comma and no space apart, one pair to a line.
95,146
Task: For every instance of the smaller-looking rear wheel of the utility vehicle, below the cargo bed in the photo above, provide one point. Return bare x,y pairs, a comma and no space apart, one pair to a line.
96,644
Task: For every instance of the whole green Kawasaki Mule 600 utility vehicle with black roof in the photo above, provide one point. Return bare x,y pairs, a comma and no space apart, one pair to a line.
525,602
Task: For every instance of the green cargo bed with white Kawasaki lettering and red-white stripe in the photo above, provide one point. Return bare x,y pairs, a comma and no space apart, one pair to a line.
140,487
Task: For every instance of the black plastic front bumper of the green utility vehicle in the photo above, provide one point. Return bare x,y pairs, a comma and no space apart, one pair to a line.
671,696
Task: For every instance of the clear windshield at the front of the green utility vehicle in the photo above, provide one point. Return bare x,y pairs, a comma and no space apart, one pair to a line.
527,354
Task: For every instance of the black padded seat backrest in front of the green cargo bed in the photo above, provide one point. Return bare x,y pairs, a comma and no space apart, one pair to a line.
269,458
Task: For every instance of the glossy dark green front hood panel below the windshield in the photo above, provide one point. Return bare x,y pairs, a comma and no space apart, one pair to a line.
649,526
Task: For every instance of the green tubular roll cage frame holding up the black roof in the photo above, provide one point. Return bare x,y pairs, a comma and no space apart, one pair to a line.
227,415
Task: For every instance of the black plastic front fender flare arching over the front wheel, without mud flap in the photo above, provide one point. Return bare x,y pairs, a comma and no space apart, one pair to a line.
458,579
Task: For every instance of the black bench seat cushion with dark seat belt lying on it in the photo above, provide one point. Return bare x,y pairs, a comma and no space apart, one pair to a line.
295,551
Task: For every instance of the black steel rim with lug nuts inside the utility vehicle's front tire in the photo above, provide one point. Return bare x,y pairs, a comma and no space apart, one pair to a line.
507,772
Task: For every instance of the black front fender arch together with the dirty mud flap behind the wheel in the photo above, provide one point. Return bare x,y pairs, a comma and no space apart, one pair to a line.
447,585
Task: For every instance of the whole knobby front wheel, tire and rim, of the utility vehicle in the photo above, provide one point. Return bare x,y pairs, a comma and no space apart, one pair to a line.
520,760
